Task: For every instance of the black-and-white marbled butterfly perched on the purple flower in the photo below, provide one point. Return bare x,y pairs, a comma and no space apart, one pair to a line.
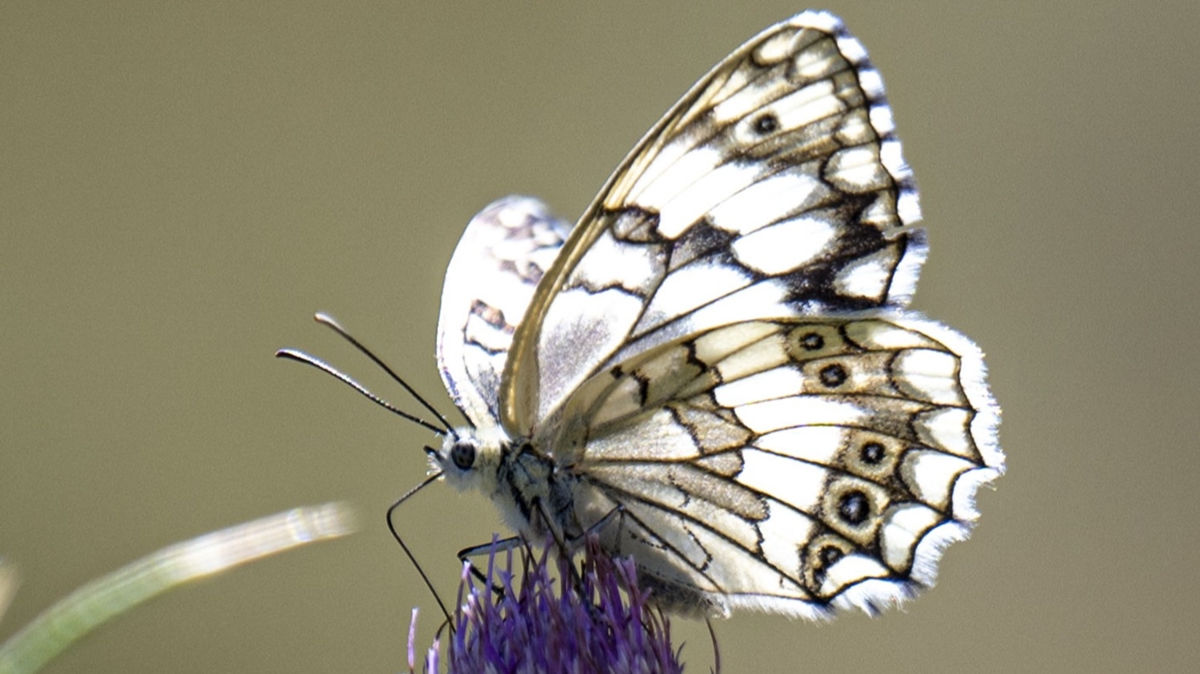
715,371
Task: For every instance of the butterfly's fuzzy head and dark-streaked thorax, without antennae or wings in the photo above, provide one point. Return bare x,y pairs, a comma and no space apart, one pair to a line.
526,485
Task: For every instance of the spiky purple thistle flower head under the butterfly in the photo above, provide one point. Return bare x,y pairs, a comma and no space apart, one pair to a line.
548,624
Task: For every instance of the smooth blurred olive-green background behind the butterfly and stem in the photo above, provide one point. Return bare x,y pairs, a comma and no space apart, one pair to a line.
182,189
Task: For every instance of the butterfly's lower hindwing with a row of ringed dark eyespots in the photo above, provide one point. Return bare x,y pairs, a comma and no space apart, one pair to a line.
791,466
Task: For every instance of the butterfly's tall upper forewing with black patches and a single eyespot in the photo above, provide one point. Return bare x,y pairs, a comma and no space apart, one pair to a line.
775,188
